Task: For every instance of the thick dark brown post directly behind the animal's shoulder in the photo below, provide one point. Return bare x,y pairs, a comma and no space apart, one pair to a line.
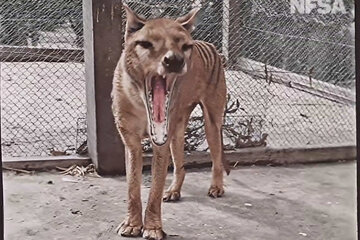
103,46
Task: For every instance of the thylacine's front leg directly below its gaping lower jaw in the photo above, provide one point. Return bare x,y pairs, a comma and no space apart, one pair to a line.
152,222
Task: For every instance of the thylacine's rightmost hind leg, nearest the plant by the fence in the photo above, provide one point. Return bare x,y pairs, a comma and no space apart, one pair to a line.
213,116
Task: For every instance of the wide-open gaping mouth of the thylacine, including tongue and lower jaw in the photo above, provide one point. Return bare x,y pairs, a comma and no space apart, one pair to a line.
158,95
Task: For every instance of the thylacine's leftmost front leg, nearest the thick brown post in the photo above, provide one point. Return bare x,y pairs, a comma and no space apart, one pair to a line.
132,225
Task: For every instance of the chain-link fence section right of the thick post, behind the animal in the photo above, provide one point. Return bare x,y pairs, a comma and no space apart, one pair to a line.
290,73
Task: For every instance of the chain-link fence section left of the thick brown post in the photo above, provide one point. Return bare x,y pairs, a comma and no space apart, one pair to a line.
42,77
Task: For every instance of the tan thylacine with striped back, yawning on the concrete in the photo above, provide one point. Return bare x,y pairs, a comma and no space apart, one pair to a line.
161,76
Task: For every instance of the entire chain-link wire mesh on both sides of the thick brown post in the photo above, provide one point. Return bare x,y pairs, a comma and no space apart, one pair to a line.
289,66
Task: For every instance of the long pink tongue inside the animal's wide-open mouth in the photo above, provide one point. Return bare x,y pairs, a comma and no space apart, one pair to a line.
159,100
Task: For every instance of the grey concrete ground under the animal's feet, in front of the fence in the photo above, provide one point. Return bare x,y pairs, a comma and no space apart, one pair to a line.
265,203
